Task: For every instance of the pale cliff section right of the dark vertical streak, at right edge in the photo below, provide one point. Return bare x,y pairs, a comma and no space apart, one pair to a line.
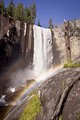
75,40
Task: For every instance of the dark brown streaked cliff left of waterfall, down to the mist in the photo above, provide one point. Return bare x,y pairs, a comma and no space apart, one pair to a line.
16,40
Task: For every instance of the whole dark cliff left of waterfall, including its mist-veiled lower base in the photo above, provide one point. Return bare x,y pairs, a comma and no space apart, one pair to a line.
16,49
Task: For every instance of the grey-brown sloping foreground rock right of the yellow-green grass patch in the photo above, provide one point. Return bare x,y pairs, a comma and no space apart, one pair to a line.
51,92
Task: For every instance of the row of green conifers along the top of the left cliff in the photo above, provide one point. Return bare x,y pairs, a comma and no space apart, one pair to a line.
19,12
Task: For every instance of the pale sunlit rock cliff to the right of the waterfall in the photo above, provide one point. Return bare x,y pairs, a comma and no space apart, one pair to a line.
66,39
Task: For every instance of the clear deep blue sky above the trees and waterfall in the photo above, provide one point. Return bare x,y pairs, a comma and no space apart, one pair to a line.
58,10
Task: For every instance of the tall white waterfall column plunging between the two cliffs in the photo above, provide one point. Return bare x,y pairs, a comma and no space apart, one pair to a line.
43,56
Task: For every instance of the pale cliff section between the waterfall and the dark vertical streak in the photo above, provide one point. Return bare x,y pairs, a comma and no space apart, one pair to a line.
59,50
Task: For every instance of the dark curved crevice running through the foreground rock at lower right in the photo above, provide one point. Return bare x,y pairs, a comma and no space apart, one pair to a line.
60,106
